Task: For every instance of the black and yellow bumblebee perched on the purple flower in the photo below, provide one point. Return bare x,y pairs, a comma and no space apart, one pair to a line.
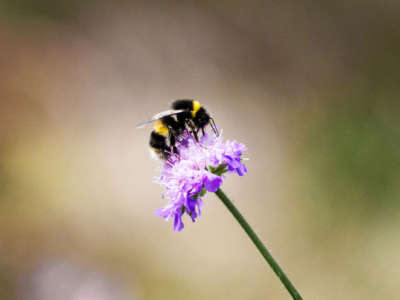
169,125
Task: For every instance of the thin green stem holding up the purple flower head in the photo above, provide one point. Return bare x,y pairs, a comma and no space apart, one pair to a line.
260,246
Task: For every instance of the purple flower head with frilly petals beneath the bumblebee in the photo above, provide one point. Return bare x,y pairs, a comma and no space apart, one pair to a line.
198,168
